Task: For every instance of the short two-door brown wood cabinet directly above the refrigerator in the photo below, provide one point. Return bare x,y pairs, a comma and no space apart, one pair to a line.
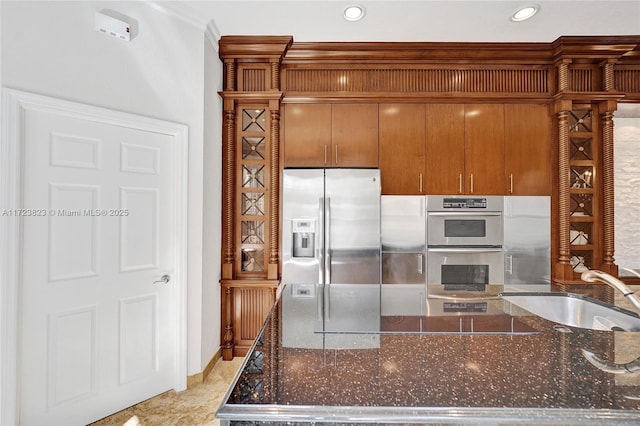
331,135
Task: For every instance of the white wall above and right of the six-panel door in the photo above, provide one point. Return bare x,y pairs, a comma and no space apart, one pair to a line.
51,48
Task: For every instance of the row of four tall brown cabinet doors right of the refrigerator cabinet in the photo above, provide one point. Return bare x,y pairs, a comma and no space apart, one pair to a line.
465,149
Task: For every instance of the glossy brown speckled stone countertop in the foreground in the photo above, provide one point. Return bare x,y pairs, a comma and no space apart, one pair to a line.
529,372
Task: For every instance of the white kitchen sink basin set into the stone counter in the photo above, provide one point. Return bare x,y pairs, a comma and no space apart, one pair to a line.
574,310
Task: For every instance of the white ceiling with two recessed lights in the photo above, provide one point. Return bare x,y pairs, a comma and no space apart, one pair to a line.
426,20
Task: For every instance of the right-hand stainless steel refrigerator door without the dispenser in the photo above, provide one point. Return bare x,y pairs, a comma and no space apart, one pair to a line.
352,226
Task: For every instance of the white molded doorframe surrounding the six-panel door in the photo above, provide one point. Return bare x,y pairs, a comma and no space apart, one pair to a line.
15,103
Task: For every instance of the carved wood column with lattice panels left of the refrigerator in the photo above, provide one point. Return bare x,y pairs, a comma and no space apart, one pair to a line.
251,185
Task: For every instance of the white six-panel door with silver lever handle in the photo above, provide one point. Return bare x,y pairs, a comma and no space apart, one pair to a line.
98,323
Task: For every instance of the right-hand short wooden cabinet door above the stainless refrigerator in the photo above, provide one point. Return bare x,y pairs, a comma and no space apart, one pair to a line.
354,131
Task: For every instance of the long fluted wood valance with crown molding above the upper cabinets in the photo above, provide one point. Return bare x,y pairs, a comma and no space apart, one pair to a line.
415,71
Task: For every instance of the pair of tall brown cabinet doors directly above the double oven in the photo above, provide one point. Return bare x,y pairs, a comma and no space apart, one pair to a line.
465,149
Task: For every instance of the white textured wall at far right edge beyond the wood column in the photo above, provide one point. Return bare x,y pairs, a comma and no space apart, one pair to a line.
627,186
